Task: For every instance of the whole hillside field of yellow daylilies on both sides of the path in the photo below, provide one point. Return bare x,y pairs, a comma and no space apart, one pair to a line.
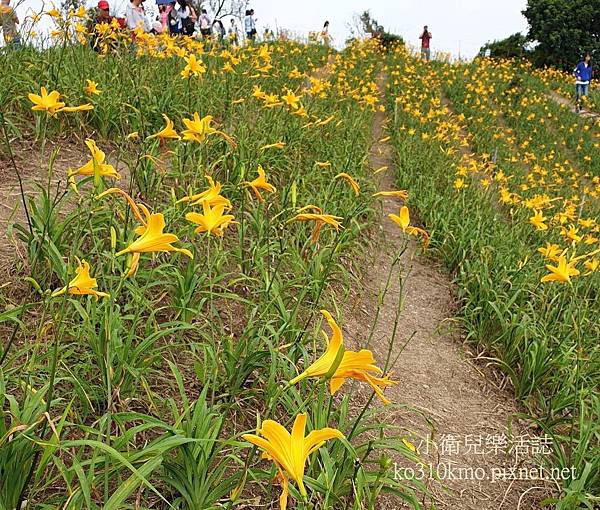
174,330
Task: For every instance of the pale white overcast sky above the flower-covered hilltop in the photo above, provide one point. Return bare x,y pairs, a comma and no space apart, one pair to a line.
457,26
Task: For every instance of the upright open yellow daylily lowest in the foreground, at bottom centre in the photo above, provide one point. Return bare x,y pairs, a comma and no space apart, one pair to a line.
290,452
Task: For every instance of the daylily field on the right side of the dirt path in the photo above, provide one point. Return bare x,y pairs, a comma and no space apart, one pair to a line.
508,182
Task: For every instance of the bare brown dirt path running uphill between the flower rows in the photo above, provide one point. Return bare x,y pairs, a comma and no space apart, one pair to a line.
470,415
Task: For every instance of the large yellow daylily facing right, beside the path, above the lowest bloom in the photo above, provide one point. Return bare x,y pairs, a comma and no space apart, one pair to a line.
351,365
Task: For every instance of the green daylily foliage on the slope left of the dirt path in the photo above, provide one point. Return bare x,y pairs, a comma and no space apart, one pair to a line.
139,398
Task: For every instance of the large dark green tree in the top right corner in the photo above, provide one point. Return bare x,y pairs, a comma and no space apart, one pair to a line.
564,29
